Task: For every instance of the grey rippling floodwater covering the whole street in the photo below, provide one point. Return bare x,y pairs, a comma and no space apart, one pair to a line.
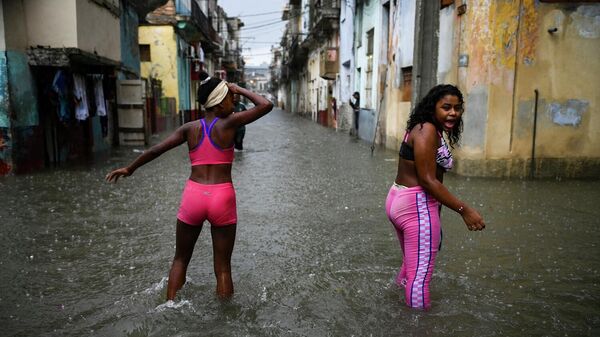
315,254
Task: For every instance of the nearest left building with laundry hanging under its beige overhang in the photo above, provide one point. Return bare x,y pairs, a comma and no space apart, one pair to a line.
61,60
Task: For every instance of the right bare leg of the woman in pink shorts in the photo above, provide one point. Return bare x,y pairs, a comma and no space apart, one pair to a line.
223,240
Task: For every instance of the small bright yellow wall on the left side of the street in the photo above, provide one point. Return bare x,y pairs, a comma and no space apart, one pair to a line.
163,53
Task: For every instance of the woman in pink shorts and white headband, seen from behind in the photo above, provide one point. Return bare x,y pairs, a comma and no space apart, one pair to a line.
209,193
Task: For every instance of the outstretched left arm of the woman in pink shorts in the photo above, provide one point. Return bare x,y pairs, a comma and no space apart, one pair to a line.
175,139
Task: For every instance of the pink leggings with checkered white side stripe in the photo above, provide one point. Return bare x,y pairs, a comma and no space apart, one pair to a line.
415,215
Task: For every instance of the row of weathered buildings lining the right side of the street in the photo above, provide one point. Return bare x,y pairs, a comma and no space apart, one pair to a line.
520,64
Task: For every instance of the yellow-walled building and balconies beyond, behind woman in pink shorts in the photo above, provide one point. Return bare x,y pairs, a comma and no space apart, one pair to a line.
185,37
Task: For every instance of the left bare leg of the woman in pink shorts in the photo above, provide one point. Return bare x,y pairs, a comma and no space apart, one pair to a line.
185,241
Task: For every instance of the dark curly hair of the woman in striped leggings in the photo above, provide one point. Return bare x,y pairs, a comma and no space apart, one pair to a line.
425,110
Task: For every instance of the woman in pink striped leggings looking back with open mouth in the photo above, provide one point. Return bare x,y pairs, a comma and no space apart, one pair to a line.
414,201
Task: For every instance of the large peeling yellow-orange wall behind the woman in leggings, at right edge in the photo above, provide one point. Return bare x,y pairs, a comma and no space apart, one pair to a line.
512,54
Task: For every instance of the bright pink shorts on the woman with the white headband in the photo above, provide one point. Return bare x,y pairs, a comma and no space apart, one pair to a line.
215,203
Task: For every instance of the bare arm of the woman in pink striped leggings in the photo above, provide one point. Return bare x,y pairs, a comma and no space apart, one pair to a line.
425,143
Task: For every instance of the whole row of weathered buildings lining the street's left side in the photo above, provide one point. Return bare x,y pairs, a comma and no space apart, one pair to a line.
71,73
